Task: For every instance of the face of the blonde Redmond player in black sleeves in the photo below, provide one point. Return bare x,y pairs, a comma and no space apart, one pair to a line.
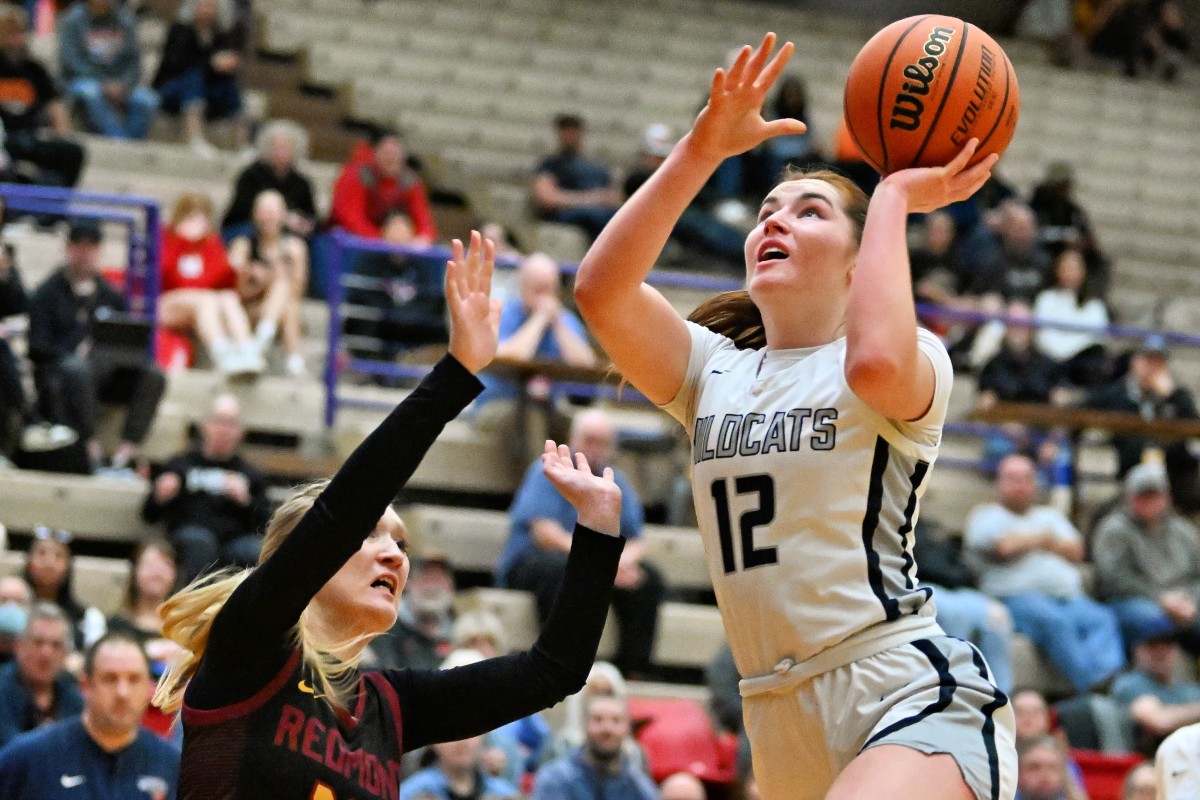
364,596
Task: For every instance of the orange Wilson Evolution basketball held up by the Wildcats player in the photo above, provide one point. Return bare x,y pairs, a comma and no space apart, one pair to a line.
923,87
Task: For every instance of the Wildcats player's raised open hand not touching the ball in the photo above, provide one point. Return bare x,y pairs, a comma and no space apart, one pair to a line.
733,122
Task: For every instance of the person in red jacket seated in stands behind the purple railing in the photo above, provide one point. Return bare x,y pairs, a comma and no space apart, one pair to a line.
375,182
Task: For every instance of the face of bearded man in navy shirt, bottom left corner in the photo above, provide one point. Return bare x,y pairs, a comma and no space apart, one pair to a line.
119,689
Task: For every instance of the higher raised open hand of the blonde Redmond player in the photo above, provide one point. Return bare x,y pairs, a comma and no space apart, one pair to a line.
475,315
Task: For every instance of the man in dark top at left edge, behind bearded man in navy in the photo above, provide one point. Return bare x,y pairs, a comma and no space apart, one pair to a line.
35,689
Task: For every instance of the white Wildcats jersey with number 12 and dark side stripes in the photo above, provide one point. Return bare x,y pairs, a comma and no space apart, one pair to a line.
806,496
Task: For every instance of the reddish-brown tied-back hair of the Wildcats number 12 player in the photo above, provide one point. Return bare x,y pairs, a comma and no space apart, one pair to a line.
734,315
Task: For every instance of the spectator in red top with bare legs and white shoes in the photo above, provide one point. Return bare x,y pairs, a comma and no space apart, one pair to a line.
200,290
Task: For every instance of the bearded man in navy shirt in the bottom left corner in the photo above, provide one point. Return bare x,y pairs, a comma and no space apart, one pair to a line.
104,753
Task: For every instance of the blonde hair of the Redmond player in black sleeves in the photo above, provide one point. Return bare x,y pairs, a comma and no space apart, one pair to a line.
188,617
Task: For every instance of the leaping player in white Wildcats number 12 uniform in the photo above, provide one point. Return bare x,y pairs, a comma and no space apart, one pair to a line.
815,410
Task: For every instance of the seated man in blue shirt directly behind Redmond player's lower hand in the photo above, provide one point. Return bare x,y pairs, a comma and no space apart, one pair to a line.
536,555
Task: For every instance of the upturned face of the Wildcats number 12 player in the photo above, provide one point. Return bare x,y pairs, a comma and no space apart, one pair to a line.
803,242
